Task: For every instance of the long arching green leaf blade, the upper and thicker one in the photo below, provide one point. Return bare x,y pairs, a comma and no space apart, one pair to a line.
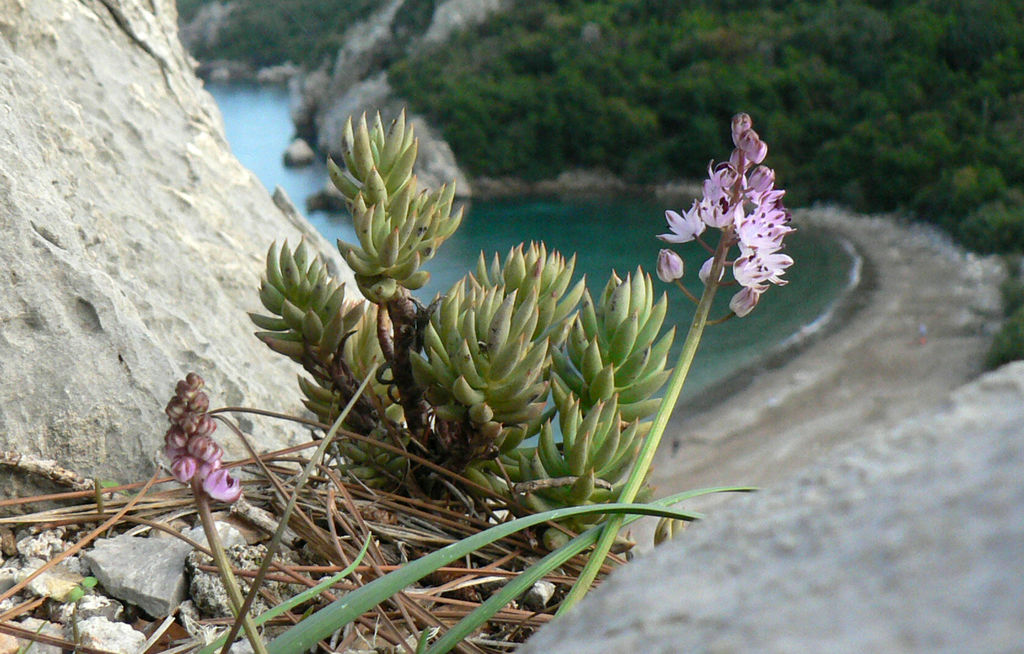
336,616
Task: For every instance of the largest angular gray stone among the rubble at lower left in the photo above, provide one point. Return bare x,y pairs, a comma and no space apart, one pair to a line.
147,573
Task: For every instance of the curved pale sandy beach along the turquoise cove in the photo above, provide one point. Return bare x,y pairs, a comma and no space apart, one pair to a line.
865,372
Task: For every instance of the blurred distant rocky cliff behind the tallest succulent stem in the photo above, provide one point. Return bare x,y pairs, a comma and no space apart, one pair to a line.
358,81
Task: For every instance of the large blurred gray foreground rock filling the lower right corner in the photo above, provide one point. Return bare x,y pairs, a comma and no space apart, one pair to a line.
904,542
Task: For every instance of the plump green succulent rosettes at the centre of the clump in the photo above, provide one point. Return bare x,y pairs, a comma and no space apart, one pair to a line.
486,357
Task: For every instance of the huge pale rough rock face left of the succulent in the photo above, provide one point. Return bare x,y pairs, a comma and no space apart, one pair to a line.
133,239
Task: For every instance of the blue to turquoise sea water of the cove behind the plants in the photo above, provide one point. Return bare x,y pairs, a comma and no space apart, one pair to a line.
606,235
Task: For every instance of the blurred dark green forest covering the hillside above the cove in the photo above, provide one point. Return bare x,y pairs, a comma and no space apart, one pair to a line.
915,106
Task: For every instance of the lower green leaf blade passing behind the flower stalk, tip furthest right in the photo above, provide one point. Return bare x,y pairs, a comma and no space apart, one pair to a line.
526,580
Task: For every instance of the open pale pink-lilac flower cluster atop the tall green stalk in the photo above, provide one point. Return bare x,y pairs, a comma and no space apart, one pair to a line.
741,199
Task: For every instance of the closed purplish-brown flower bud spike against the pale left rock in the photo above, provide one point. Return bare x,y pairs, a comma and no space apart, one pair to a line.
190,446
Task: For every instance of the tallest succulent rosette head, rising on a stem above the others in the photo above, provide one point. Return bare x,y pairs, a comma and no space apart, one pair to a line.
399,227
